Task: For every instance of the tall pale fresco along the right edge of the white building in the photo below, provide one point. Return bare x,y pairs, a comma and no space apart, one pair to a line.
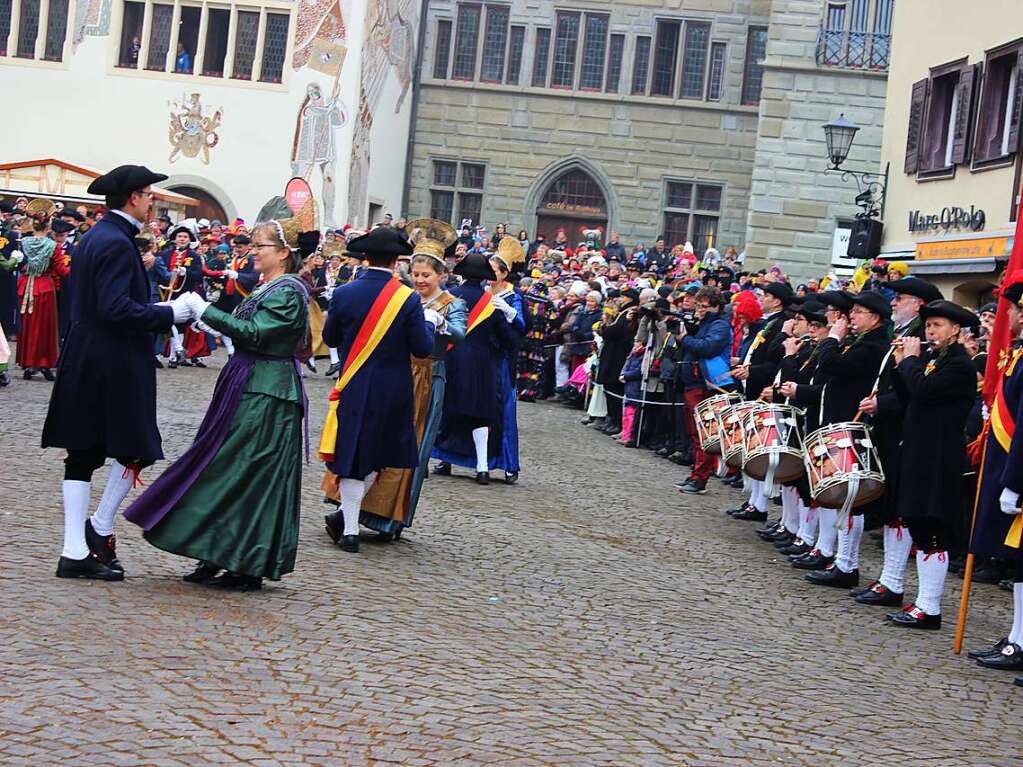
389,48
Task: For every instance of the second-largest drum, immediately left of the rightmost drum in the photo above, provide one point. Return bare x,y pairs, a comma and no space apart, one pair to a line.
774,445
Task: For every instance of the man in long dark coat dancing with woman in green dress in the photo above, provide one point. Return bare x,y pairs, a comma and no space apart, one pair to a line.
105,402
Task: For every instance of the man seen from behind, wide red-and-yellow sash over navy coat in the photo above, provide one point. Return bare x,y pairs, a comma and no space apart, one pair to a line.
376,324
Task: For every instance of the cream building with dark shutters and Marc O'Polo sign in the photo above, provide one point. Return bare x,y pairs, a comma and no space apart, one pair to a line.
953,139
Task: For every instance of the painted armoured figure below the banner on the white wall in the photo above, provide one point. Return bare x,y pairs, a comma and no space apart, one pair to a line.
315,147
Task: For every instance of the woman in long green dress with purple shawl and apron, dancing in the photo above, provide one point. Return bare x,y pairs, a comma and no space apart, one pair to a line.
233,501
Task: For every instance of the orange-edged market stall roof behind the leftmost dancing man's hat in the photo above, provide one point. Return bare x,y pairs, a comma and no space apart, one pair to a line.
58,181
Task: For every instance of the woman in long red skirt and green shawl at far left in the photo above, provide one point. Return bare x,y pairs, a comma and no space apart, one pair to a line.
37,344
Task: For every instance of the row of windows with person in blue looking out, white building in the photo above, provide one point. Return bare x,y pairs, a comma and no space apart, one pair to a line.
226,41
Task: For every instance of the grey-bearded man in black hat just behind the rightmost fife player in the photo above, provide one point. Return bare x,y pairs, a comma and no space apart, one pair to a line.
886,411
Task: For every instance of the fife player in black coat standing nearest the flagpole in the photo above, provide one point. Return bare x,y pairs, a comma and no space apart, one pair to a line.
941,386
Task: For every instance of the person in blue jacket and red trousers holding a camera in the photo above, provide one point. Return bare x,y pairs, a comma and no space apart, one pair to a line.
705,371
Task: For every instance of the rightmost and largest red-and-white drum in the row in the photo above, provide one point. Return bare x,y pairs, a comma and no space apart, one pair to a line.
842,466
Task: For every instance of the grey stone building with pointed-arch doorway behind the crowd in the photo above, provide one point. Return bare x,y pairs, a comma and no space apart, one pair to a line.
649,118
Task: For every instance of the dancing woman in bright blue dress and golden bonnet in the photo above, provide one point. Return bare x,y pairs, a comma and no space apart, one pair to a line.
509,259
